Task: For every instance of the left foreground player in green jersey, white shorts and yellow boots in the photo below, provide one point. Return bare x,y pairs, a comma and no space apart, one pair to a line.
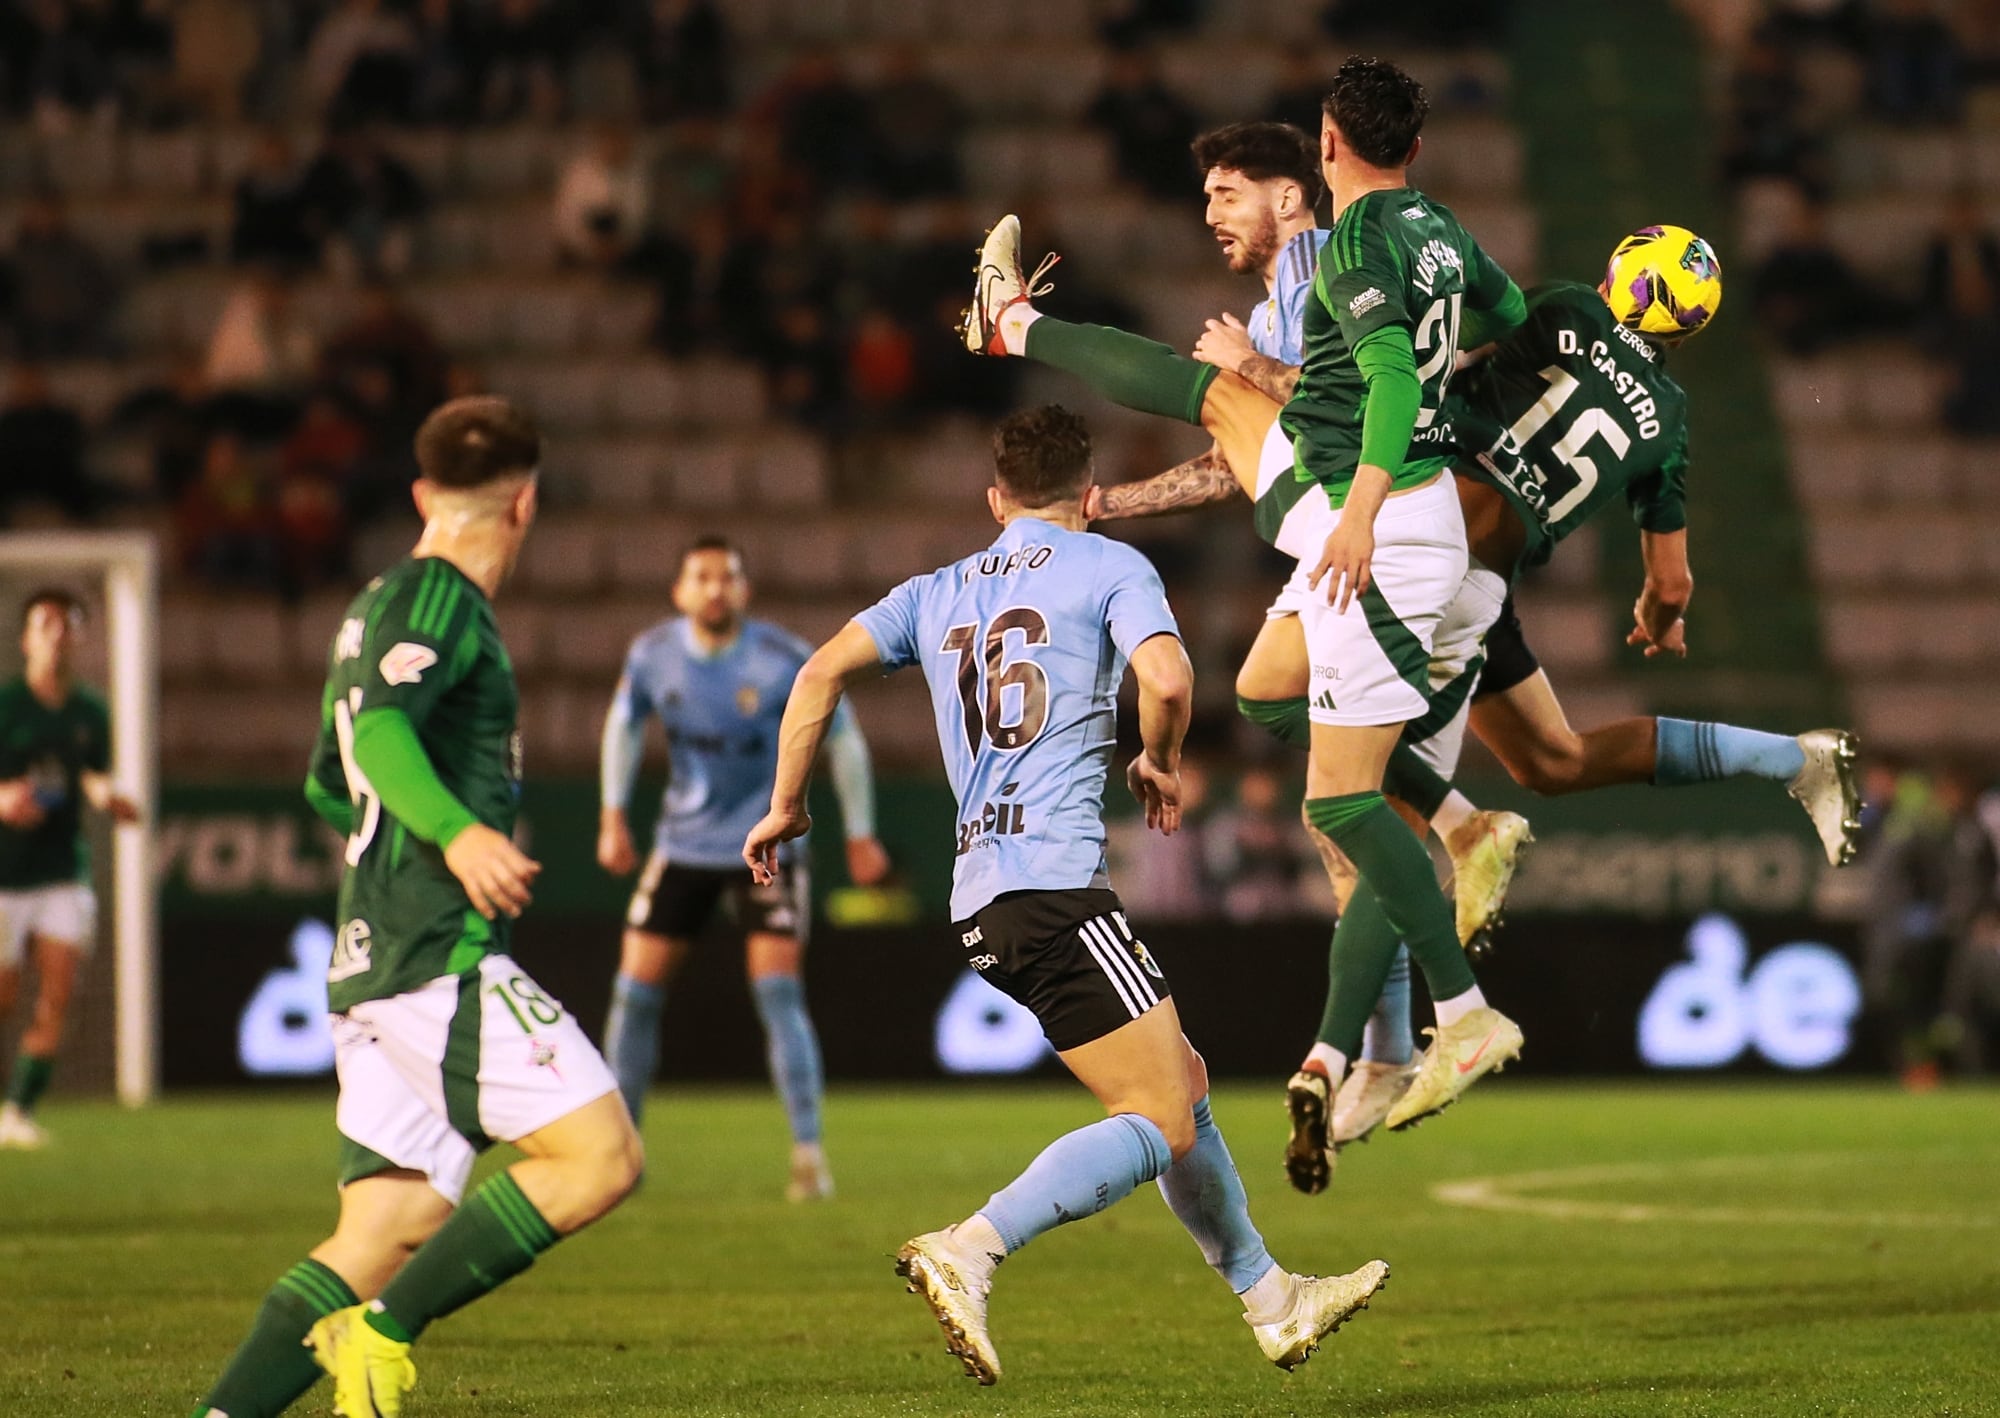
441,1041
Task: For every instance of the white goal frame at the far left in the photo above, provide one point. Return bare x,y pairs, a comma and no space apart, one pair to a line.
127,567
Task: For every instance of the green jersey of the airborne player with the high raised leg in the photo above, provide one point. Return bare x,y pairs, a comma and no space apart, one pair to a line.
1395,259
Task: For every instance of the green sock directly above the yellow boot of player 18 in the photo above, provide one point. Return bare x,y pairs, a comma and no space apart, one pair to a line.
487,1243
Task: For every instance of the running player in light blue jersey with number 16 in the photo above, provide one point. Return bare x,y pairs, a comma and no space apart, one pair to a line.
1025,647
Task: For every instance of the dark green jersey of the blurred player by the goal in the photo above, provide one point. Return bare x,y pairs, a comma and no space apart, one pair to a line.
53,749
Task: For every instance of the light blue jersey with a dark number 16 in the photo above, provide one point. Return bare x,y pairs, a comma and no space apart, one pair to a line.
1025,647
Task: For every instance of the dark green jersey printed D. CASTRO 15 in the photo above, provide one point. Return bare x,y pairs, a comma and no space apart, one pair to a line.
1569,413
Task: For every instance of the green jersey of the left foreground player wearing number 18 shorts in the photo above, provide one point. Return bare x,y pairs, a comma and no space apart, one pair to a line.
419,639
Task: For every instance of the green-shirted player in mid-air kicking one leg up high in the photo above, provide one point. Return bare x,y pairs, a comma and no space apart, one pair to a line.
1353,483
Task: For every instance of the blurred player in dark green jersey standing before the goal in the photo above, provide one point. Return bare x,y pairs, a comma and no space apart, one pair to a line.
55,759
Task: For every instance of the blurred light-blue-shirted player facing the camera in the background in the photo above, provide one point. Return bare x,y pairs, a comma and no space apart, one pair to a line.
719,683
